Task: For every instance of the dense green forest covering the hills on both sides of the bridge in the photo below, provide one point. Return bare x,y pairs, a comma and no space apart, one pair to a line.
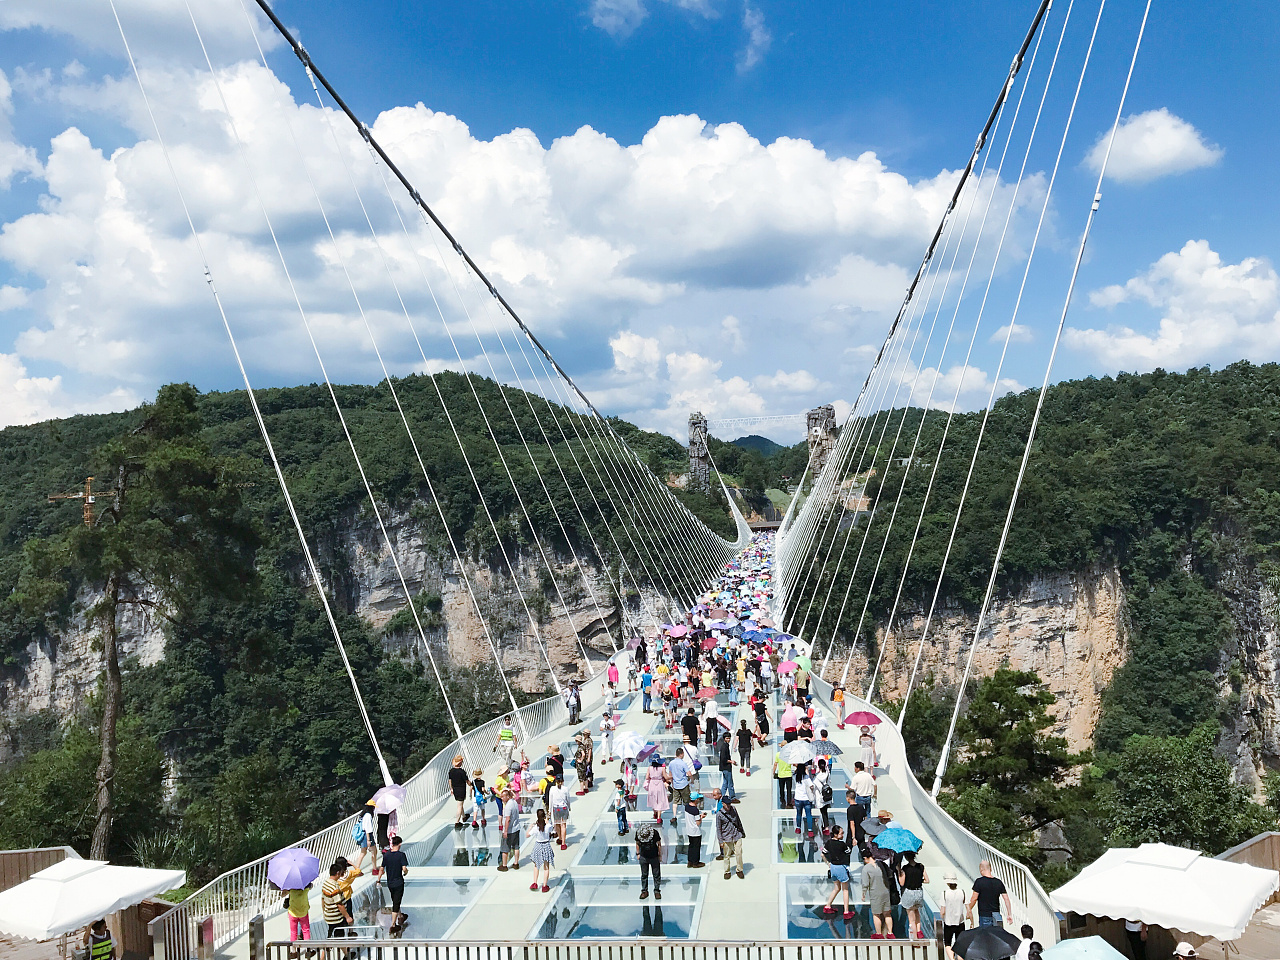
1174,479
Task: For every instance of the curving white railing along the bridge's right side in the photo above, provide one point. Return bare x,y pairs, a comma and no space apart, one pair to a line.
1030,900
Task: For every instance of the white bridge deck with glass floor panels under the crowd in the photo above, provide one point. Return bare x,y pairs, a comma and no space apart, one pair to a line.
698,904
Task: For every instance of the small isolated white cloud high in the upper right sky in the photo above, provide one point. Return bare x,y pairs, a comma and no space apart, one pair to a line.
1151,145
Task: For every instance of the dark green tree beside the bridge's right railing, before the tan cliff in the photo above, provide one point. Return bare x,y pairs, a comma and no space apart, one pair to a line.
1011,778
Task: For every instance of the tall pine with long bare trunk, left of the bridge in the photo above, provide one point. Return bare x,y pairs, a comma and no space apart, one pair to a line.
173,531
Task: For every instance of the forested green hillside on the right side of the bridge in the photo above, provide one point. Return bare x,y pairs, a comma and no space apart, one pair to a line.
1174,479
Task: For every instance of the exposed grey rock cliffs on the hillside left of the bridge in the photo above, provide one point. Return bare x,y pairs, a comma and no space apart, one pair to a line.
364,580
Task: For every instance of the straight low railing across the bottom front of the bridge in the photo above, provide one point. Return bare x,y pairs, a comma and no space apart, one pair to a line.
610,950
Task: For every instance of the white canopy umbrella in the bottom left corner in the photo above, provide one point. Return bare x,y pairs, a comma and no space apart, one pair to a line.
72,894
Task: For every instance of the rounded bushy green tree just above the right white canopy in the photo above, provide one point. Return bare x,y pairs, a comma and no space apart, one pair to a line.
1174,790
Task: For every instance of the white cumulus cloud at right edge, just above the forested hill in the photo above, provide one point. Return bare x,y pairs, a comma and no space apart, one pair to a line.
1209,312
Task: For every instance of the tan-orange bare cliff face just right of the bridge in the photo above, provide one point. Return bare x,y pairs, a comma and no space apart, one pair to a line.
1068,630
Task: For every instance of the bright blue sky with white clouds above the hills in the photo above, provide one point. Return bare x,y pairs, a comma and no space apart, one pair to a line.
743,263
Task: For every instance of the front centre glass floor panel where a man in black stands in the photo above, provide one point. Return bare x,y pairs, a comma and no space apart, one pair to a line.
610,908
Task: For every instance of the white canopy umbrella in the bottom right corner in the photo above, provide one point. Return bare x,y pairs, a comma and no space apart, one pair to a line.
1172,888
